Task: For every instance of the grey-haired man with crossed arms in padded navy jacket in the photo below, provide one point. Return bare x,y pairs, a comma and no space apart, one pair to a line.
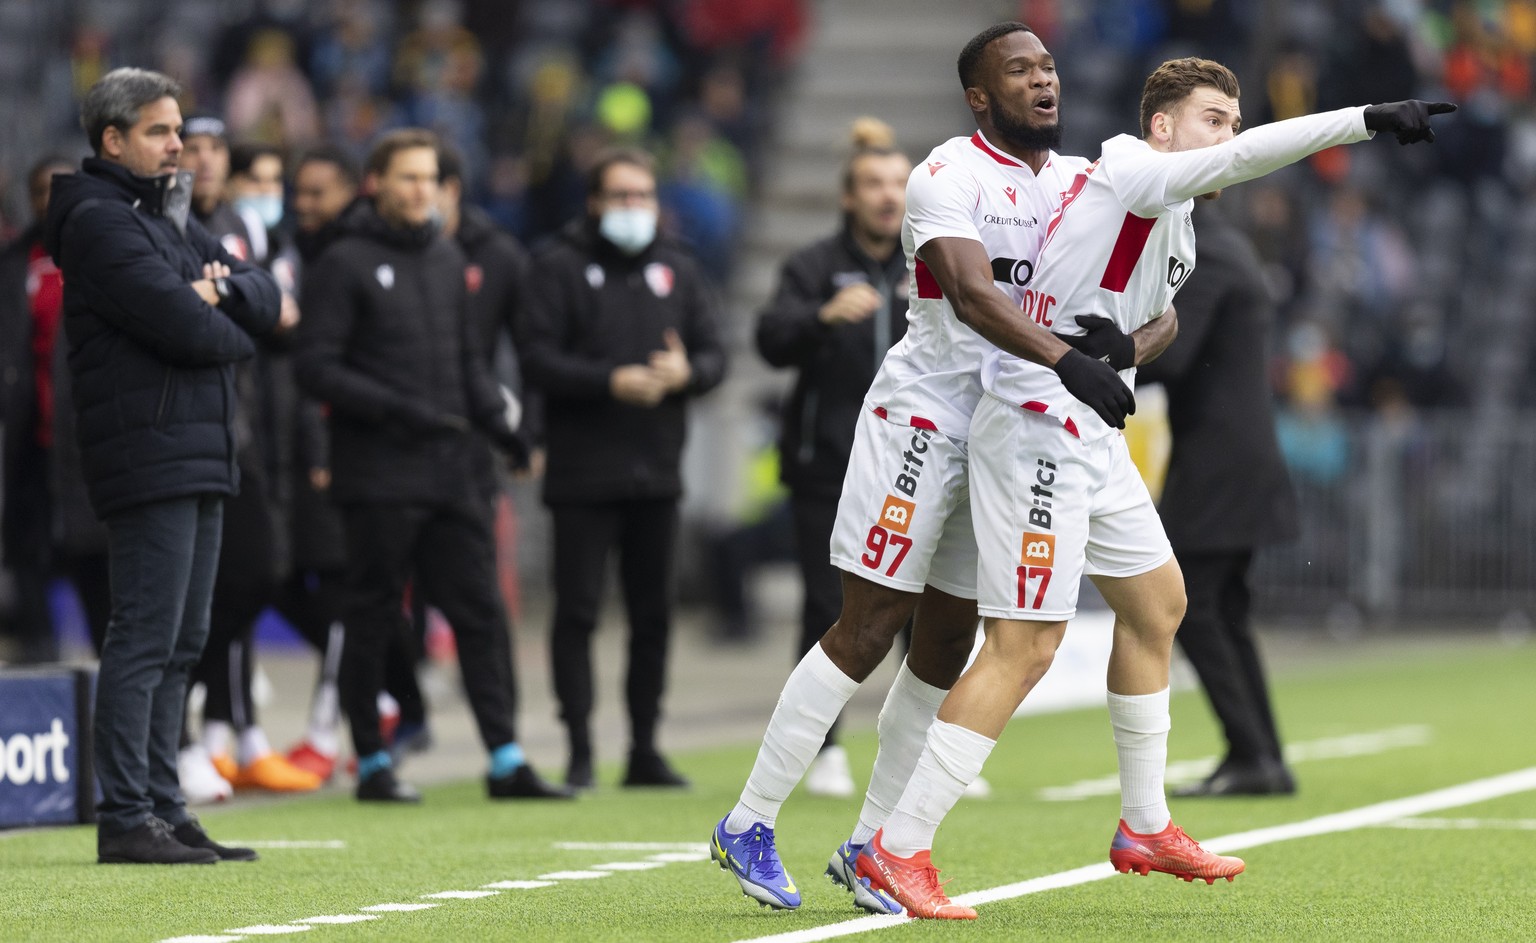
157,314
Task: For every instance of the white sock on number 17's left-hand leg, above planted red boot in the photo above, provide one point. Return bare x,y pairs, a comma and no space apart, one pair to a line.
952,761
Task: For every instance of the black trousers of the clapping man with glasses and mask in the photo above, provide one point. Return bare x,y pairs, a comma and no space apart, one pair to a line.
644,534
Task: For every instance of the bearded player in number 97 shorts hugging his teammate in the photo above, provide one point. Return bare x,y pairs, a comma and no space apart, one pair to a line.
976,217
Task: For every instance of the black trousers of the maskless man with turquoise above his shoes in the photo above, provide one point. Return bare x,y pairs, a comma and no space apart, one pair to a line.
451,552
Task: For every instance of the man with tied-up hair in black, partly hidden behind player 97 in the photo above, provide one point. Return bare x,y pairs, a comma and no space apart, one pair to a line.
839,308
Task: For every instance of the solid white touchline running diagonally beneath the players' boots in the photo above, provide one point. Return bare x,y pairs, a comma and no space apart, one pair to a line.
1521,781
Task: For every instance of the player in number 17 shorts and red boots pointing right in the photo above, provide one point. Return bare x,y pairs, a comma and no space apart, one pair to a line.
1056,494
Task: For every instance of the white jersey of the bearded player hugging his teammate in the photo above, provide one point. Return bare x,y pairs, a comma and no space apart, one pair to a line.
973,191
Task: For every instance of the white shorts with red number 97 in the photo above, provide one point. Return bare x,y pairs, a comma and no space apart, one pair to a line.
905,515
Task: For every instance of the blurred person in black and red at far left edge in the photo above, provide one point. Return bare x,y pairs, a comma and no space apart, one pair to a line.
50,531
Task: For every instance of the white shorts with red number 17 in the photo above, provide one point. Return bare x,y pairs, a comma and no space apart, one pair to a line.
1050,509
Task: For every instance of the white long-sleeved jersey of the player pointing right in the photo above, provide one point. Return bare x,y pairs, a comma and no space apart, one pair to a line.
1122,243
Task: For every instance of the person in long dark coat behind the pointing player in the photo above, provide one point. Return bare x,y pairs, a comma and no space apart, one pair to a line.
1226,494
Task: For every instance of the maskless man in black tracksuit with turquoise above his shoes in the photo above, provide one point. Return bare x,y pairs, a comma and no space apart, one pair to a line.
386,342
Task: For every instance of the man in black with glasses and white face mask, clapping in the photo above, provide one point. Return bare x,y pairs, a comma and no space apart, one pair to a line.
620,331
